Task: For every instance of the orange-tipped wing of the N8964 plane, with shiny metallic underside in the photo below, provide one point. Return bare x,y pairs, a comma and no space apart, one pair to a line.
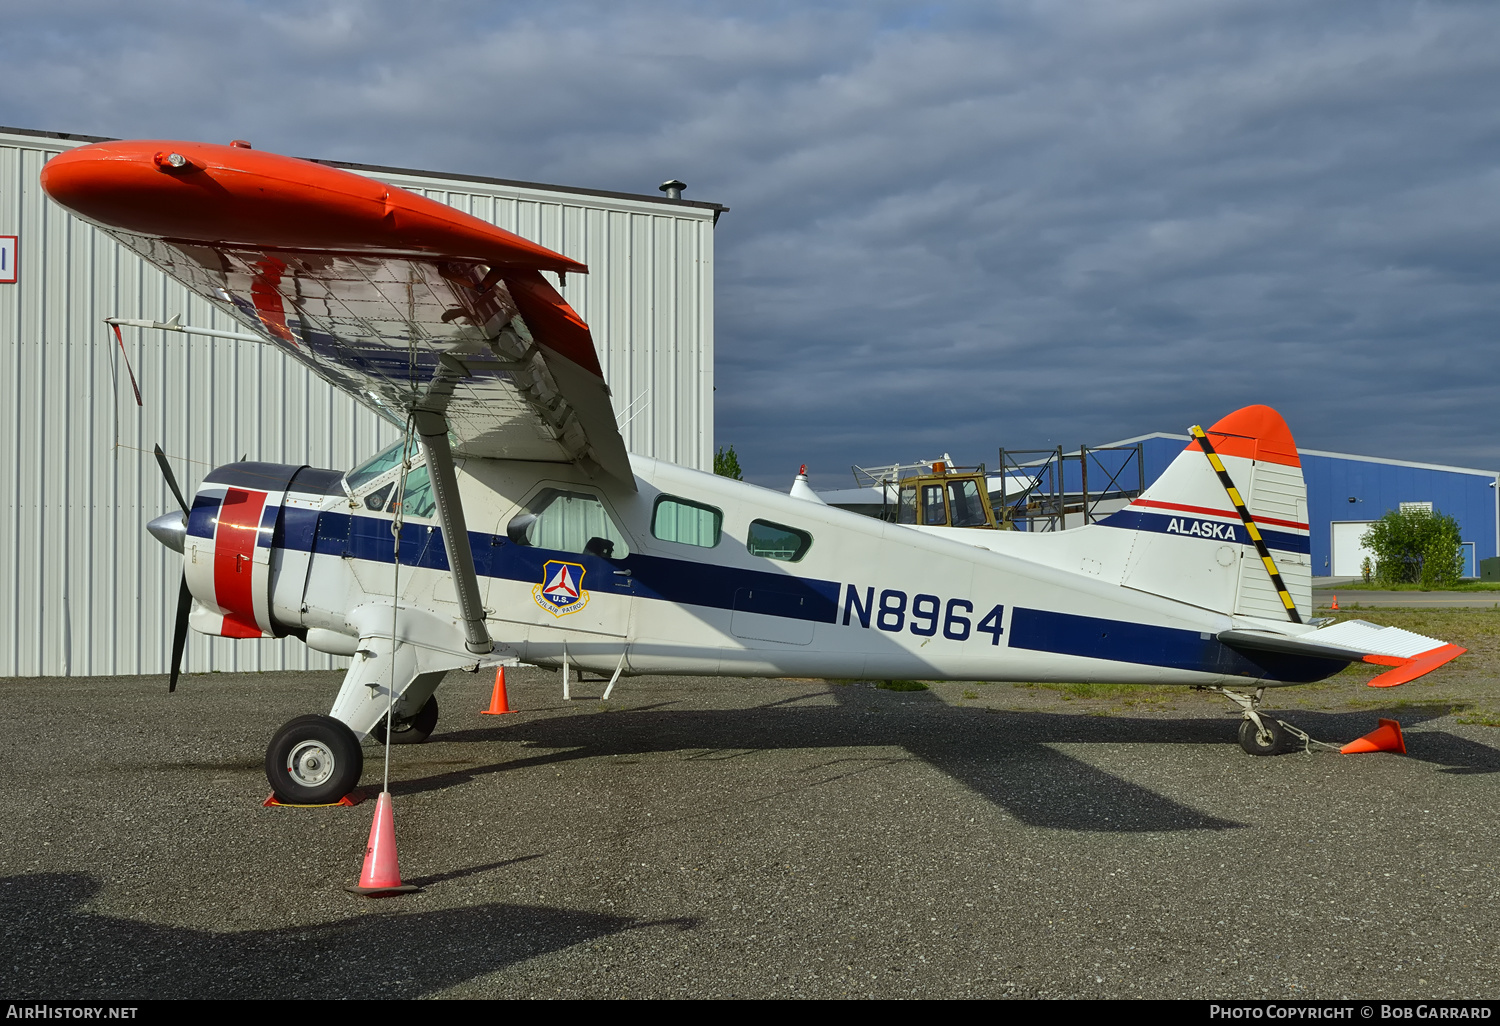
401,302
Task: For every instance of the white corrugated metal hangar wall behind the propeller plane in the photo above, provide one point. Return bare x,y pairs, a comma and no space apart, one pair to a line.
83,589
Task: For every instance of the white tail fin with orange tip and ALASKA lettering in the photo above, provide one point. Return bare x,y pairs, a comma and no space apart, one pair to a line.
1193,545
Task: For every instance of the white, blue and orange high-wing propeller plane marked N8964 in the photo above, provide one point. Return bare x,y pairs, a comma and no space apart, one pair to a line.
512,526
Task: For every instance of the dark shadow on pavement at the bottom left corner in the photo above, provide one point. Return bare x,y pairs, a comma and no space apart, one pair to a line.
53,949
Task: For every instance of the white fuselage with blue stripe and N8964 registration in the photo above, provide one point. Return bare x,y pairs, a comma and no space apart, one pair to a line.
868,599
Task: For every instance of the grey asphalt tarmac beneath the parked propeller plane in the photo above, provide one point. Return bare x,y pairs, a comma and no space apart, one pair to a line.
757,839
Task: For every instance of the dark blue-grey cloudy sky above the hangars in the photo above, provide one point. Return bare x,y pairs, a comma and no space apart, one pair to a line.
955,226
